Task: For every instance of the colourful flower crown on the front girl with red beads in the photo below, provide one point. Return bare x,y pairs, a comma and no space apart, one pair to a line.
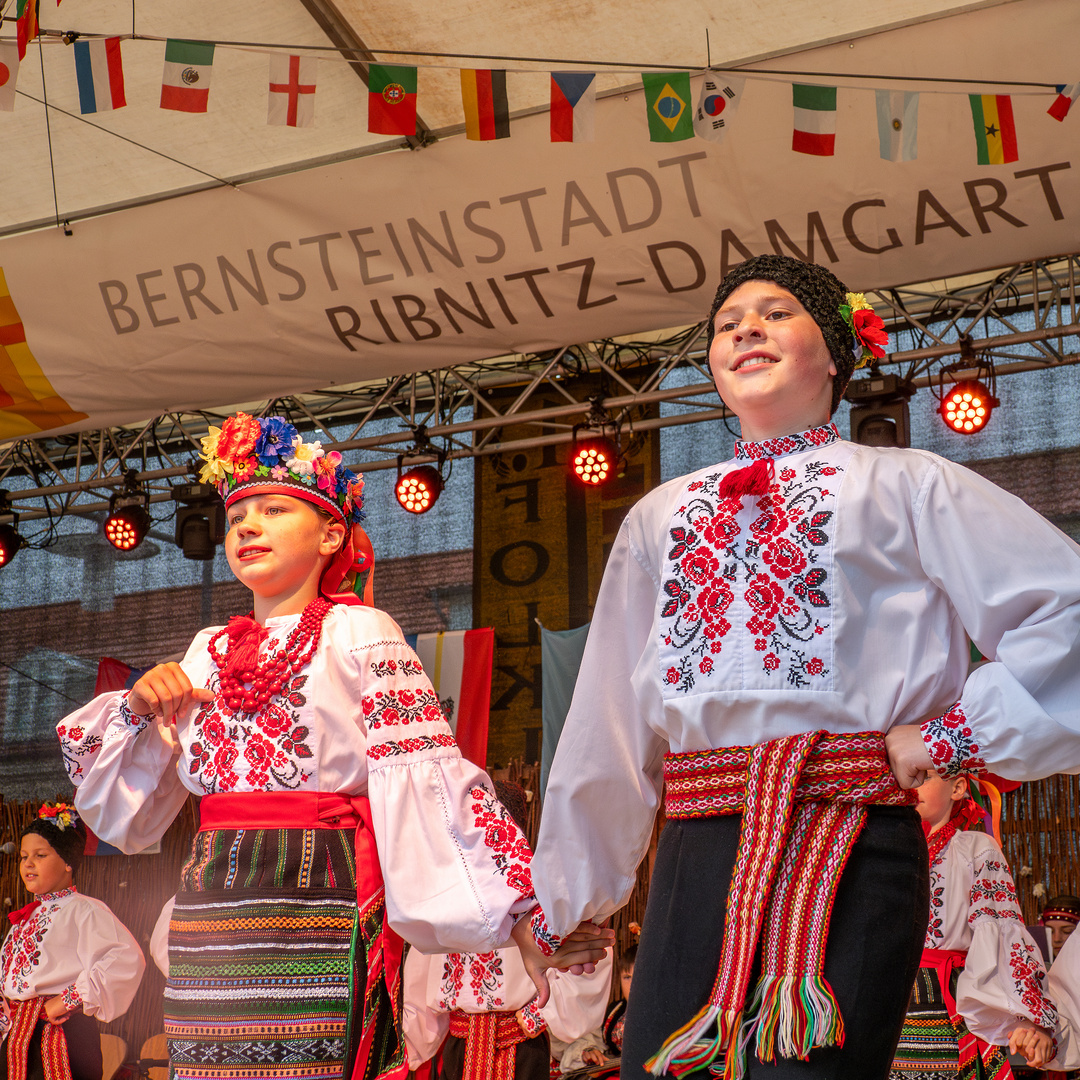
248,455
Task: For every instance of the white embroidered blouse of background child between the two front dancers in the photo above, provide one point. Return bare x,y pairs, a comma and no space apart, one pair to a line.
495,982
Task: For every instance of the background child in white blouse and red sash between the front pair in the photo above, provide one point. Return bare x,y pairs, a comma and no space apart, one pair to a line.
481,1008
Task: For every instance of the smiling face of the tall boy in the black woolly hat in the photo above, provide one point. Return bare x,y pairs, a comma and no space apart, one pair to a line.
771,362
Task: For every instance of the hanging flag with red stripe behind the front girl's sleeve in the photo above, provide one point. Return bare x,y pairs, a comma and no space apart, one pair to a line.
458,663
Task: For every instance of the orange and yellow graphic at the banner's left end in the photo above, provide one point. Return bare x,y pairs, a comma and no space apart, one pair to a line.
29,404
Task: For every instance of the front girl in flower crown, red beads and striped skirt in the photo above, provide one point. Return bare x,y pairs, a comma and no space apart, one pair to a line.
337,814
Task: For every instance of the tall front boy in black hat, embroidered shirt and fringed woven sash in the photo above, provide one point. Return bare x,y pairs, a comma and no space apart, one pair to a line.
780,651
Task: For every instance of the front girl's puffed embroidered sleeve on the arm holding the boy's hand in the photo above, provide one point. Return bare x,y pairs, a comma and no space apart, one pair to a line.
456,867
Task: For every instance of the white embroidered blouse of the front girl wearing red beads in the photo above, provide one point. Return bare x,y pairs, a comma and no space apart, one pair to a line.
361,719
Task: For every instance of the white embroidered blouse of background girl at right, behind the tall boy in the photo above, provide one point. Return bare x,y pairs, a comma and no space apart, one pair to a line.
974,909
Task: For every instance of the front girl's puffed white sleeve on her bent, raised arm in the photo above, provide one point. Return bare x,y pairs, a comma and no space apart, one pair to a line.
124,767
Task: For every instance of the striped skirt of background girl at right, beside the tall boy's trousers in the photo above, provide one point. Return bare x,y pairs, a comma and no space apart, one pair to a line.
929,1047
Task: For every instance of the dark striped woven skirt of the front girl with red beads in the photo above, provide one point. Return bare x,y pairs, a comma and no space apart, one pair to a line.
268,961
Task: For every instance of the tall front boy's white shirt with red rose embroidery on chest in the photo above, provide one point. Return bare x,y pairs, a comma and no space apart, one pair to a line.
844,603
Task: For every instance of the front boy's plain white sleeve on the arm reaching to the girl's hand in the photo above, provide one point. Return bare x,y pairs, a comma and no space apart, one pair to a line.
605,781
